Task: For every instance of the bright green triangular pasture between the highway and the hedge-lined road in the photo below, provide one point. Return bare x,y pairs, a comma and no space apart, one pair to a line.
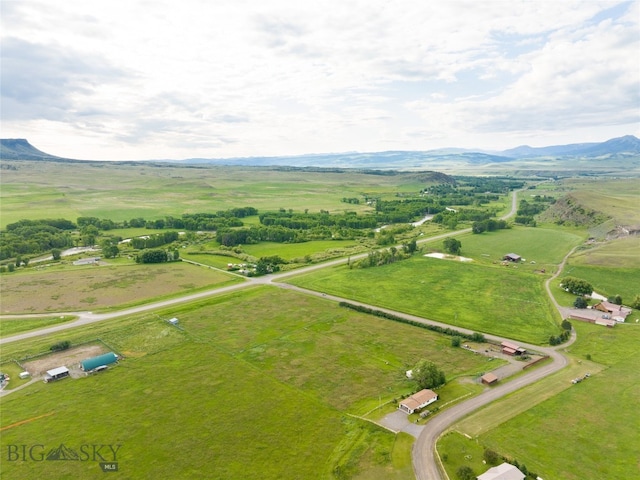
486,298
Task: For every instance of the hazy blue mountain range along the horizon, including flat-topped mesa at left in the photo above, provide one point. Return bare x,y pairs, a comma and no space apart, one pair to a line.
613,149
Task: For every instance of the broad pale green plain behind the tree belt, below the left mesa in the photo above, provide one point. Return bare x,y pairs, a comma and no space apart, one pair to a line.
53,190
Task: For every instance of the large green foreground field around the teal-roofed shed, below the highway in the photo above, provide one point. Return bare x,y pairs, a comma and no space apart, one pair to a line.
257,384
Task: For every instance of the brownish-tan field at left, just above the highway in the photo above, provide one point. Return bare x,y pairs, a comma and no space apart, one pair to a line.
81,288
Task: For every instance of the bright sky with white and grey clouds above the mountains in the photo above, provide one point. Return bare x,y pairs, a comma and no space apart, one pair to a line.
154,79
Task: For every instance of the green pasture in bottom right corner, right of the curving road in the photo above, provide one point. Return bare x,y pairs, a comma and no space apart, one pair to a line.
599,416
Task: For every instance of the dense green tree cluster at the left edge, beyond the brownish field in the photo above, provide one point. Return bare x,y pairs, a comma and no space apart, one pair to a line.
29,237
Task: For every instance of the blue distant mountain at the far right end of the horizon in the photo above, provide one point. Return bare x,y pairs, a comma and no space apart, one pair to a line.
622,146
